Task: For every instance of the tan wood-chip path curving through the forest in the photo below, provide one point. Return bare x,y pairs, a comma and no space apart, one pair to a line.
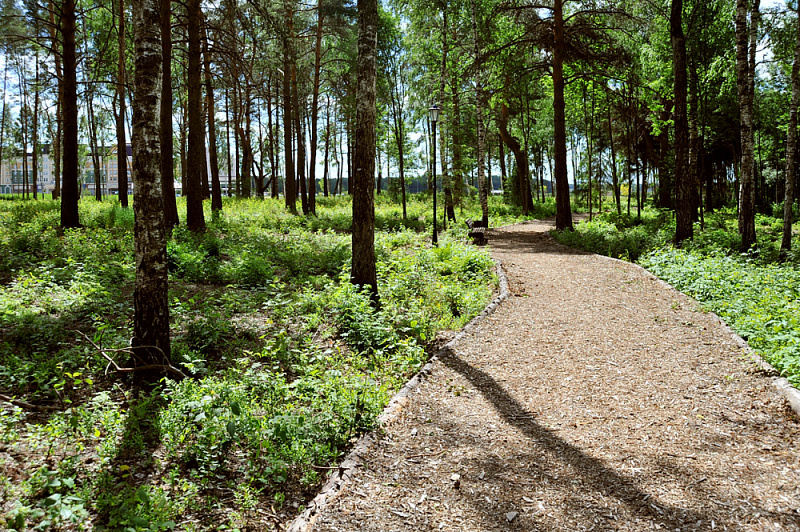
594,398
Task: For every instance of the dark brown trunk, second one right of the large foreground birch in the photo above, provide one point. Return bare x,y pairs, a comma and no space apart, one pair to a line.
196,156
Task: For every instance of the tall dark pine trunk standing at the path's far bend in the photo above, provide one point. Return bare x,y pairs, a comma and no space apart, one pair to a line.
563,209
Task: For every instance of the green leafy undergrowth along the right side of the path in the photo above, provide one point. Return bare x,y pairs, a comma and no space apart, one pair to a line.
755,293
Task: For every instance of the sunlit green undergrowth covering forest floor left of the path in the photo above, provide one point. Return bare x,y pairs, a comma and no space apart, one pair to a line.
287,361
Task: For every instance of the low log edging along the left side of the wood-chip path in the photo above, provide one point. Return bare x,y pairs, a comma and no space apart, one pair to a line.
357,456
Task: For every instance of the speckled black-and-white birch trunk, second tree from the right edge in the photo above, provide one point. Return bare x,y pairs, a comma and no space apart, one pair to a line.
745,46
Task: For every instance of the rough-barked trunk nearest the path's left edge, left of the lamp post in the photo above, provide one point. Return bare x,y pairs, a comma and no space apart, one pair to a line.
363,272
